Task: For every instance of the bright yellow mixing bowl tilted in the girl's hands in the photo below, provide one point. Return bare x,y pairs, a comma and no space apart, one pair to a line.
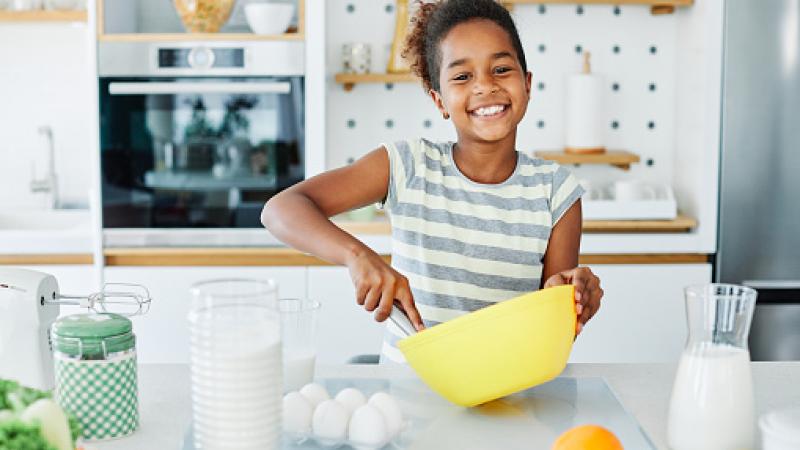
498,350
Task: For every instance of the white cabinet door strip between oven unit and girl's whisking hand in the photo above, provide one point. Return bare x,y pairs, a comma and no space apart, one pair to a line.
345,328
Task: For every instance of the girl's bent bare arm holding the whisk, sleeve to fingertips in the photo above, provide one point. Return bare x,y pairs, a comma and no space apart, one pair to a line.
299,216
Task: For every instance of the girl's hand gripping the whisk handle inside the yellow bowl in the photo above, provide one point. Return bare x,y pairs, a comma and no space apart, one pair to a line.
378,286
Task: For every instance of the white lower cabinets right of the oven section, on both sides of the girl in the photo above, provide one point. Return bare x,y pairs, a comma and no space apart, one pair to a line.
642,318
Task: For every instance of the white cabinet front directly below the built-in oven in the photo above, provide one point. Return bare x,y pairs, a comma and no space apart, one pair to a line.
162,335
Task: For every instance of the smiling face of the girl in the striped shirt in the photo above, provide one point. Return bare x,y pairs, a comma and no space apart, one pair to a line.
483,87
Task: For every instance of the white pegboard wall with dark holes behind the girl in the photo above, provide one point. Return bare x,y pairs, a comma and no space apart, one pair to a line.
633,50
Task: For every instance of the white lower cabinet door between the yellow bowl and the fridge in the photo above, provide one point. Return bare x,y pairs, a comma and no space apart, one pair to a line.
642,318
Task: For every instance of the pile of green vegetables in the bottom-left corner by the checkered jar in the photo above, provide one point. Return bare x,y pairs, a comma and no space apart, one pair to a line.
30,420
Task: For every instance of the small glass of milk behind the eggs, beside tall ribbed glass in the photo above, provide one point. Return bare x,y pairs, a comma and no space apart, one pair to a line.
299,329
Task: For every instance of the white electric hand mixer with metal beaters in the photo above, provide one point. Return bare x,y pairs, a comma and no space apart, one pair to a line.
30,302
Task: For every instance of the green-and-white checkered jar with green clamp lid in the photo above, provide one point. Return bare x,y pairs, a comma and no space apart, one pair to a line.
96,377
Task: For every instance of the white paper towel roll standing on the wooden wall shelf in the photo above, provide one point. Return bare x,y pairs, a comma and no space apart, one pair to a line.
584,108
